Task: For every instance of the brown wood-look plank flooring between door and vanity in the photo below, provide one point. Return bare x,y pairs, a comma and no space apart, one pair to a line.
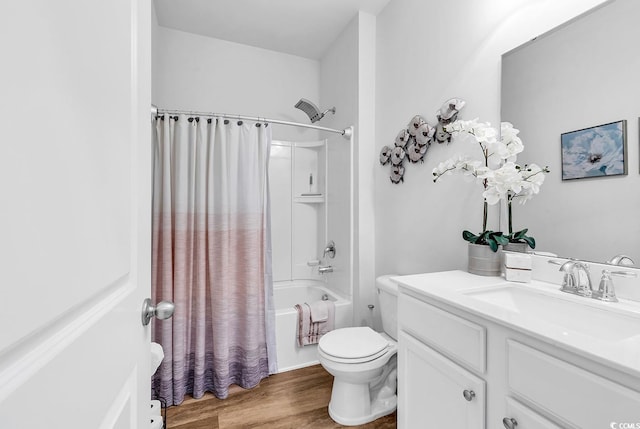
294,399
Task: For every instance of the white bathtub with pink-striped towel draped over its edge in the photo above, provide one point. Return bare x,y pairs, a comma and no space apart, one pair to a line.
286,296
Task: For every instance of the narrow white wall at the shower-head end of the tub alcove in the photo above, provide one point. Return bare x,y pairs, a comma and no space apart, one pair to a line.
348,81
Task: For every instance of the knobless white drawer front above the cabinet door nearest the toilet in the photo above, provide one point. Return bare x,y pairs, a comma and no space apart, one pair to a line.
457,337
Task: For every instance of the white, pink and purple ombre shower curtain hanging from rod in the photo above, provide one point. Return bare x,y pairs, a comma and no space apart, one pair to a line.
212,255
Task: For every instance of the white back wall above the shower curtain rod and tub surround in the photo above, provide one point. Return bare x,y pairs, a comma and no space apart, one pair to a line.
192,72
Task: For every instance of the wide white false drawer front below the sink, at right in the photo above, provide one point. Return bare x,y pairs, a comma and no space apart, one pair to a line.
572,394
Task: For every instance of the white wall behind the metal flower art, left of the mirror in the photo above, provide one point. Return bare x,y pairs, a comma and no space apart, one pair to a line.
427,52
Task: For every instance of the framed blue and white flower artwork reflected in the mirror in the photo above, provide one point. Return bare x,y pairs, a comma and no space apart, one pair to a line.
594,152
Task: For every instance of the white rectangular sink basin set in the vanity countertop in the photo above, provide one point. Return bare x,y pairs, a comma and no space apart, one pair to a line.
573,315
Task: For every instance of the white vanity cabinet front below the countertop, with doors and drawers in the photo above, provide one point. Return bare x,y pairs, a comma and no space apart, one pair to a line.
458,369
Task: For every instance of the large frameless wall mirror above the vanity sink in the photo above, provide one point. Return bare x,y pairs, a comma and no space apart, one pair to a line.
583,74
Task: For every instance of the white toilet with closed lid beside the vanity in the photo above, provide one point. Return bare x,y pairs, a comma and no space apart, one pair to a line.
363,363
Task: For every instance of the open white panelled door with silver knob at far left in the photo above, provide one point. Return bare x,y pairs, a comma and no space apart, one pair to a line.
74,213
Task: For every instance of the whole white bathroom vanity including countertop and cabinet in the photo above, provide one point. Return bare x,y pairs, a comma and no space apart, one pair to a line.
480,352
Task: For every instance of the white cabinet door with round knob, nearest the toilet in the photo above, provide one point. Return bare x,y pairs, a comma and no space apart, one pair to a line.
431,390
